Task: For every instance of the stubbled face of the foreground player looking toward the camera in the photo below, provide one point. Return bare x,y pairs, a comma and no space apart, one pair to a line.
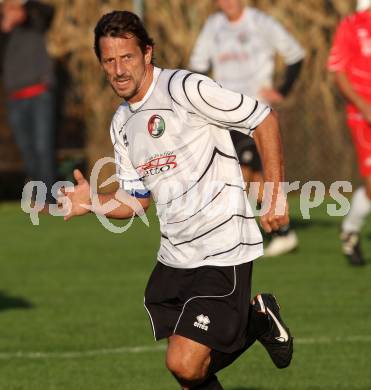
125,65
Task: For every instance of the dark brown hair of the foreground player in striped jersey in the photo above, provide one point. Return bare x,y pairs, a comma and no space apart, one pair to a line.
123,24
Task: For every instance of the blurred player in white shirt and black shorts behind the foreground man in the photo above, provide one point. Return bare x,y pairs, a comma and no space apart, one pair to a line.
239,45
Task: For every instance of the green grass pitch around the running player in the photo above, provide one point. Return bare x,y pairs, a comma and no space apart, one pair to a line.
72,316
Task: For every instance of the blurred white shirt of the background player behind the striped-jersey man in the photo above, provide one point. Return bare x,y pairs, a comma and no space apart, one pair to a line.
242,53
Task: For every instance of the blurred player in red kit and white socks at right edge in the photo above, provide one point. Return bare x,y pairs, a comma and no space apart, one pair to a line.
350,61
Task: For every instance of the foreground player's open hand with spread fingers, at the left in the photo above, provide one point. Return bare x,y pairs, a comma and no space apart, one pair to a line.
75,199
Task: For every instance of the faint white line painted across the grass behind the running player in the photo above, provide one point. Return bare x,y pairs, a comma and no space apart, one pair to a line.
157,348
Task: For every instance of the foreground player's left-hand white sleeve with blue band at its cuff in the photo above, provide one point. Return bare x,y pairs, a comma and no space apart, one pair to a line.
129,179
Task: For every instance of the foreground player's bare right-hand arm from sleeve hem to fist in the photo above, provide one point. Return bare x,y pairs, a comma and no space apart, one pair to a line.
268,141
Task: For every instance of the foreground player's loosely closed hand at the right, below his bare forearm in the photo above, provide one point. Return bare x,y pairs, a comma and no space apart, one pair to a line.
277,214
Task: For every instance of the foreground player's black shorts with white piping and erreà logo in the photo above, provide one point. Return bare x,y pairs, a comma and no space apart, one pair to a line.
208,304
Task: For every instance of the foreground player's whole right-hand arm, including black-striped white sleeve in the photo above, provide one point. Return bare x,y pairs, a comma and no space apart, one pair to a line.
232,111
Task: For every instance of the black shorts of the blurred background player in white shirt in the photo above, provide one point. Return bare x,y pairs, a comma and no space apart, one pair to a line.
246,150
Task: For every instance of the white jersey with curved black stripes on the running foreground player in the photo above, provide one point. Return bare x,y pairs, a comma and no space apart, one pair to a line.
175,145
